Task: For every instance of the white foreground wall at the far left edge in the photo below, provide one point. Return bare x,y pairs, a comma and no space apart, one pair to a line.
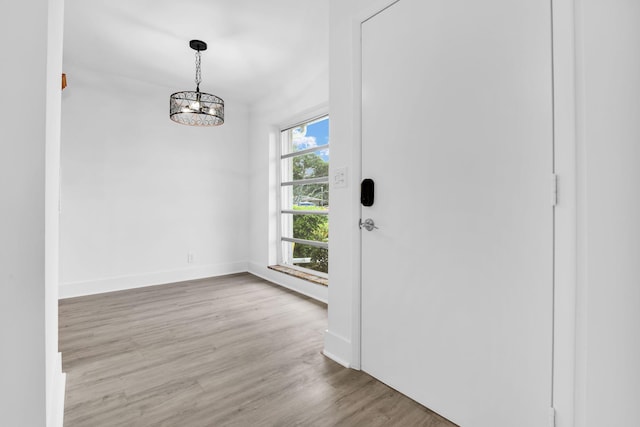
29,138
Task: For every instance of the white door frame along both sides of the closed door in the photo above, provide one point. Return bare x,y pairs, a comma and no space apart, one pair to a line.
565,216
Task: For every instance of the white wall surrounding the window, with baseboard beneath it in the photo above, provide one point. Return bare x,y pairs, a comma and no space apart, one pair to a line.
303,98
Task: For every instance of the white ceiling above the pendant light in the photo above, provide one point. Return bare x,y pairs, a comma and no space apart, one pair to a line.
254,46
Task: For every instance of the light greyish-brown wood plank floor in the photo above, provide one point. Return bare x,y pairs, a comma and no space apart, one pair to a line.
228,351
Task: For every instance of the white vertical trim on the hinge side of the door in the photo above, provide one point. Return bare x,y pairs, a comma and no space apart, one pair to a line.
565,213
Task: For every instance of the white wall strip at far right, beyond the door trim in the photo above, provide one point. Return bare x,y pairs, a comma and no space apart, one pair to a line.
608,64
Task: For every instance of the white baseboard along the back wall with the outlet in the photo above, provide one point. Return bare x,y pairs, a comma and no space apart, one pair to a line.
111,284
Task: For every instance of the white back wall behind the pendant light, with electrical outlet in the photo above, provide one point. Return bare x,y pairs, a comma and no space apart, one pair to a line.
140,192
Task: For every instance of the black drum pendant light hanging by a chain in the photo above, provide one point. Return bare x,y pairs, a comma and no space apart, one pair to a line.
196,108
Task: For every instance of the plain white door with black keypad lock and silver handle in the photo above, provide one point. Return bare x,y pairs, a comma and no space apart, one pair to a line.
457,280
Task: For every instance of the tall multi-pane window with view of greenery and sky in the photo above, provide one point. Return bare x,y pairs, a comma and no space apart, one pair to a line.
304,197
